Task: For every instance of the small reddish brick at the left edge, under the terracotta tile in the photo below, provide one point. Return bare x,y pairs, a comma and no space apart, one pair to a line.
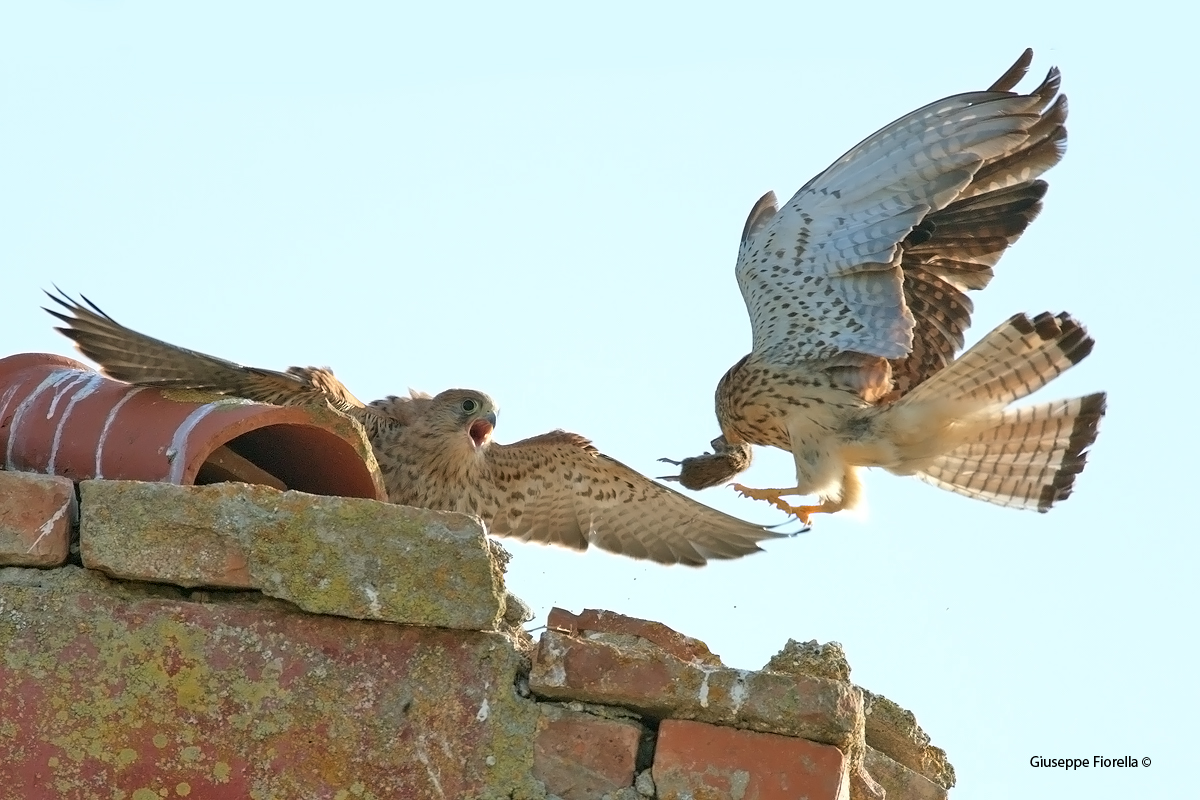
37,515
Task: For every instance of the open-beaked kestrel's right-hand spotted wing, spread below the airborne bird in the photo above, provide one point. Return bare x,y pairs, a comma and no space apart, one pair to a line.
562,491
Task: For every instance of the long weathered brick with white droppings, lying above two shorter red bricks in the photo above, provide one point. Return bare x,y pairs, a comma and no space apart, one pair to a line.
639,676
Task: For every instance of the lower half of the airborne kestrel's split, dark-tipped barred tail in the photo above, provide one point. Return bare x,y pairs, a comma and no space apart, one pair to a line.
1029,460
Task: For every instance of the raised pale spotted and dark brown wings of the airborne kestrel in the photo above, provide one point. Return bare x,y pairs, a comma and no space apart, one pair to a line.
874,255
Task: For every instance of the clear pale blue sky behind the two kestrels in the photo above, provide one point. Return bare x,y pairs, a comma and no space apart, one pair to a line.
544,203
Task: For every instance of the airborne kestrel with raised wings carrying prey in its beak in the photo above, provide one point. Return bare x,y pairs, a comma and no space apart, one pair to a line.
856,293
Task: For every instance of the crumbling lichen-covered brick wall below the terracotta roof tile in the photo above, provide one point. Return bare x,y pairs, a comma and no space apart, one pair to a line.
233,641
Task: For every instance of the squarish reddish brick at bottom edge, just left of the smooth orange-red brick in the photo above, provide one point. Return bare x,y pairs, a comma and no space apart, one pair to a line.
581,756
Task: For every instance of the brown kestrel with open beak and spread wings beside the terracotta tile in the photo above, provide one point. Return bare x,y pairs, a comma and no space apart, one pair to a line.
439,453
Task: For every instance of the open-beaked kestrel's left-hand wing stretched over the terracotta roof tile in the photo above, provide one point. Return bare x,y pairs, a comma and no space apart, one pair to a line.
137,359
